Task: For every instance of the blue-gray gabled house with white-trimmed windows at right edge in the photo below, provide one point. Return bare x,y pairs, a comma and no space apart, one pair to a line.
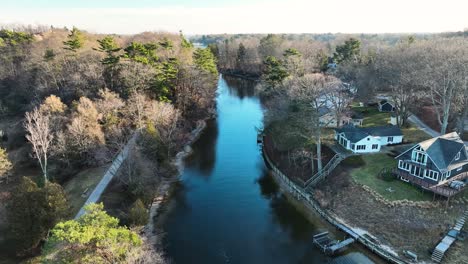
435,160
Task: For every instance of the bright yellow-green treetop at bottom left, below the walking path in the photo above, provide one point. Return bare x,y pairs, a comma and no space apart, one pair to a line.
95,237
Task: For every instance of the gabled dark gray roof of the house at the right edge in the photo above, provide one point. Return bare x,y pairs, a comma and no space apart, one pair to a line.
443,149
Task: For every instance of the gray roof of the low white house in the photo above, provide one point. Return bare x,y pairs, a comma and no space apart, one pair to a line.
355,134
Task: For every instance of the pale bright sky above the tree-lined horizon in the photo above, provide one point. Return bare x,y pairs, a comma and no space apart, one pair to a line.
241,16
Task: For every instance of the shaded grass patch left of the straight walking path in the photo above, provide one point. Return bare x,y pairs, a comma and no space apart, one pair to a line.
87,179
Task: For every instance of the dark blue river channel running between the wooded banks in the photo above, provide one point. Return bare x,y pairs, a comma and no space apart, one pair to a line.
227,208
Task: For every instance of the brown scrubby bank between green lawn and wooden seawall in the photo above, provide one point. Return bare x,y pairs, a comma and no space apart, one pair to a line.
401,224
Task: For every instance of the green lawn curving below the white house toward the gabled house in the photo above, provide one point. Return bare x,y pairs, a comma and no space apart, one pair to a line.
368,175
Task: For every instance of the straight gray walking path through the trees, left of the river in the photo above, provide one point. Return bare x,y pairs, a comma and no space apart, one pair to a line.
109,175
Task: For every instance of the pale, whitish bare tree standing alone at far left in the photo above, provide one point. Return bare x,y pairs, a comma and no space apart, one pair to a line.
40,136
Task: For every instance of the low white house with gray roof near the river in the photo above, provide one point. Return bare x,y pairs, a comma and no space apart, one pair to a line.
367,139
